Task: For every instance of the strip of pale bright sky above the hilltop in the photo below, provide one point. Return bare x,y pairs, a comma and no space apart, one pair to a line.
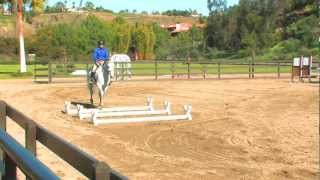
148,5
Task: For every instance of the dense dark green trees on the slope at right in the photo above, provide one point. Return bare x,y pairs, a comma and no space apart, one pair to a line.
263,26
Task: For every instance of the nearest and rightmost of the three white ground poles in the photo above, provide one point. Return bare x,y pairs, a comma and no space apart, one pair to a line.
187,116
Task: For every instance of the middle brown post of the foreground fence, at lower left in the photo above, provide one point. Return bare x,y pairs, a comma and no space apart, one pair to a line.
30,138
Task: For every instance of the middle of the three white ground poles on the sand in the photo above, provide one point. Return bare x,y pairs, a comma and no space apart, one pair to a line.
165,111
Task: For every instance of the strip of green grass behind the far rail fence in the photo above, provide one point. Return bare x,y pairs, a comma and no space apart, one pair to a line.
8,71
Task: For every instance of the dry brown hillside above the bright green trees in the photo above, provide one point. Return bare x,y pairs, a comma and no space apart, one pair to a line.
42,20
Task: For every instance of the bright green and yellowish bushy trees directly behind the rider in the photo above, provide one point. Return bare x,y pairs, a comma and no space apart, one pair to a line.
77,41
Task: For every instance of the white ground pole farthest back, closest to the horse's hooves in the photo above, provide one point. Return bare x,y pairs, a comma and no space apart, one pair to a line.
86,113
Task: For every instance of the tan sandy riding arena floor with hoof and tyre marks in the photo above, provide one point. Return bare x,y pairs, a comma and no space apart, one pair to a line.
242,129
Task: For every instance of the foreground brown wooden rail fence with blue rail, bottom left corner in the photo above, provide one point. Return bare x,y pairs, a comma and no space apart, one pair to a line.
13,154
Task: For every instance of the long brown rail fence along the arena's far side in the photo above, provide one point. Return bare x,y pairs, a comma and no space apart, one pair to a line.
156,70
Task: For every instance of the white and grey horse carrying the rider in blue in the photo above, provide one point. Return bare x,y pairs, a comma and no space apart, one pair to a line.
101,79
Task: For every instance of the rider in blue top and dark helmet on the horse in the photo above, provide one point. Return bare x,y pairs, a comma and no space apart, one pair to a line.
100,56
